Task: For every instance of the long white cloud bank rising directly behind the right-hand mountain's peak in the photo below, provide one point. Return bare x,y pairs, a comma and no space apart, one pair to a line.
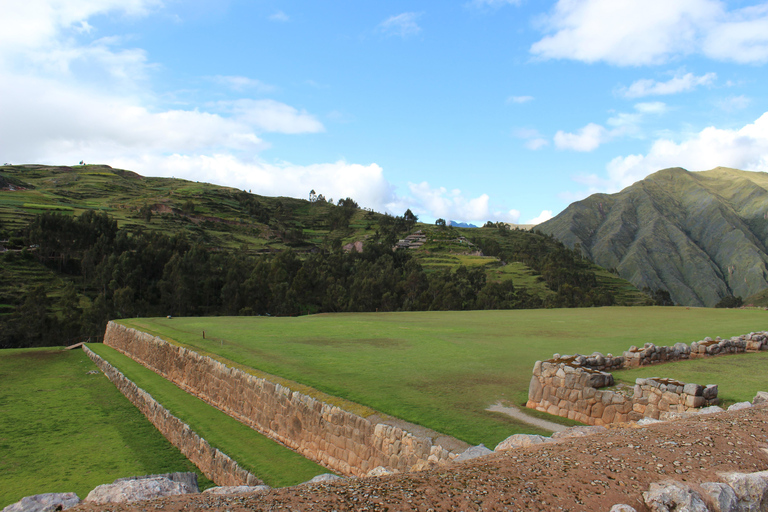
745,148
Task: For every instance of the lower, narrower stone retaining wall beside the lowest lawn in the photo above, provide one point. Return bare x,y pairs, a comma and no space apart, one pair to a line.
214,464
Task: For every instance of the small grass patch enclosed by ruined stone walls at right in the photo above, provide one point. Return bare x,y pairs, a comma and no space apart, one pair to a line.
739,377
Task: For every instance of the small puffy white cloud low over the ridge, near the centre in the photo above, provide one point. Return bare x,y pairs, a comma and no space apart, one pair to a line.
449,205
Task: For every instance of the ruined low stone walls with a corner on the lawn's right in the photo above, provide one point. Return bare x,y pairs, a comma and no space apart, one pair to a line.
568,386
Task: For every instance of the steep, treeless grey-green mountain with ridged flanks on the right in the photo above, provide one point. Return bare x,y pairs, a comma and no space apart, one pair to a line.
699,235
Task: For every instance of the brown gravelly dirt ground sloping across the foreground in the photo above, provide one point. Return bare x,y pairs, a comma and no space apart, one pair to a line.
585,473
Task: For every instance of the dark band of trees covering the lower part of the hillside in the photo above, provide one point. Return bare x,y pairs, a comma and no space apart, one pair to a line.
111,273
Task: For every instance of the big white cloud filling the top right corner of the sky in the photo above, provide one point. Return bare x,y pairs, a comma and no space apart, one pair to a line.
631,33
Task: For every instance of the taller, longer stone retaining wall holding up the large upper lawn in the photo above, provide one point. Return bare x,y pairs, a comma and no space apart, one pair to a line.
344,442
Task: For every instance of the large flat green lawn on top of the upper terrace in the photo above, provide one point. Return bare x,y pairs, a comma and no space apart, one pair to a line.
440,369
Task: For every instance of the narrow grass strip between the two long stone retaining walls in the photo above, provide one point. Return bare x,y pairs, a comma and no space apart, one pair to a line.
275,464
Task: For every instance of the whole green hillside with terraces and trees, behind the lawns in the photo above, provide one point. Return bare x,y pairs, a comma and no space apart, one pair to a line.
90,243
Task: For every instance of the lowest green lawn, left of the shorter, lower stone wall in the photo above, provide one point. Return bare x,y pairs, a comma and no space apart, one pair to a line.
63,430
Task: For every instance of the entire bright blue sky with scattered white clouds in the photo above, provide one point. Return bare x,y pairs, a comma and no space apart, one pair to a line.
470,110
